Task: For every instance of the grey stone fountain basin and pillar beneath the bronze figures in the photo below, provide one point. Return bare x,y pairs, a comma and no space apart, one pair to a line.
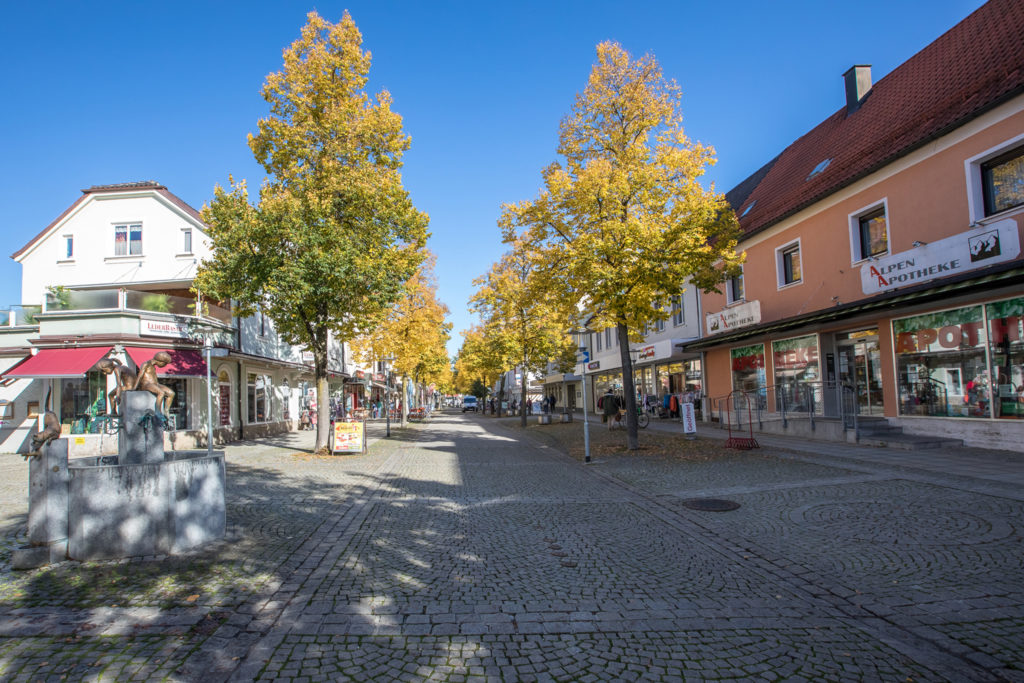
142,502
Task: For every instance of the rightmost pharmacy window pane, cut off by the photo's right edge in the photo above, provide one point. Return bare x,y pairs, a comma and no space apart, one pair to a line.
1006,334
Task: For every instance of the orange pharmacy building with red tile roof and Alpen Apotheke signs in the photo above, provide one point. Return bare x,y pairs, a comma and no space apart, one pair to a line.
884,275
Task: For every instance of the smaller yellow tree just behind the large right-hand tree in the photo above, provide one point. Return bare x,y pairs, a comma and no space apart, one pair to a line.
528,328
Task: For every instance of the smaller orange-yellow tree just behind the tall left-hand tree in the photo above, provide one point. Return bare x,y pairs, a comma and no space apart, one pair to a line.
414,333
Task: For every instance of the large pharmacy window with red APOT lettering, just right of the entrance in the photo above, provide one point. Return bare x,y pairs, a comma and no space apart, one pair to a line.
942,368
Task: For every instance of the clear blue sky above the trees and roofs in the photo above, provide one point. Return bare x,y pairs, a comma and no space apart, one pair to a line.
112,93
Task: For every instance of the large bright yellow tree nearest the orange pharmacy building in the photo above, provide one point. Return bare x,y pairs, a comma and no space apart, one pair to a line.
623,224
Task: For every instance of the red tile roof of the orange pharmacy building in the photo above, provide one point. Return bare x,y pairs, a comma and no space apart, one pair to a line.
974,67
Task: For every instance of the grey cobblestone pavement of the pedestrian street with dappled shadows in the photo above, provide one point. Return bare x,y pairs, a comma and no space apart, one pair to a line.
464,550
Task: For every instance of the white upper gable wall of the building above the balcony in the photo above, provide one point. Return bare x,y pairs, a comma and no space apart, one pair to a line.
92,226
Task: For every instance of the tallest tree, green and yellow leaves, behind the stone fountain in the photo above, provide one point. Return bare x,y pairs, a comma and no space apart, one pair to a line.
334,238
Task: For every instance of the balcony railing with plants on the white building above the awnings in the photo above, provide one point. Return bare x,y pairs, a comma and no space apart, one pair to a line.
123,300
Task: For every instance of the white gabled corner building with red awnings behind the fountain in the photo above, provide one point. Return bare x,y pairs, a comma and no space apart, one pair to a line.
111,279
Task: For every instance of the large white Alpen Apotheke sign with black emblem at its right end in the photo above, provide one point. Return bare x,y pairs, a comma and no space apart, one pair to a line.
979,248
